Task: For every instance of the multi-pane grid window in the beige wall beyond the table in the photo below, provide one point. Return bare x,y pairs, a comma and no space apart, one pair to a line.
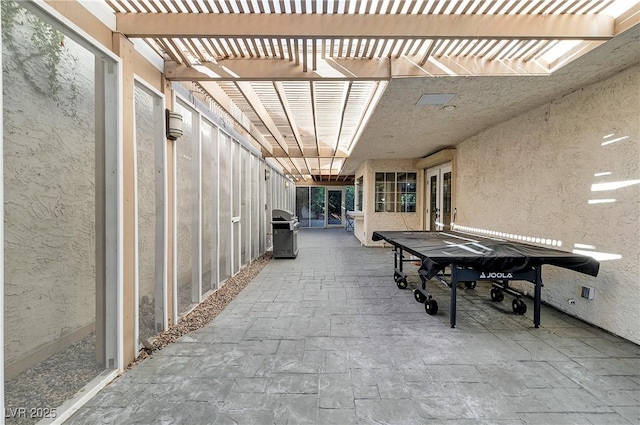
395,192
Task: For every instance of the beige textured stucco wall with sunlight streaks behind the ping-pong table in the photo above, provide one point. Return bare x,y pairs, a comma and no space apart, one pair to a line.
533,176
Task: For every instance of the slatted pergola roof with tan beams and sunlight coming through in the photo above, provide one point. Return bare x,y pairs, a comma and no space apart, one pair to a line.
307,73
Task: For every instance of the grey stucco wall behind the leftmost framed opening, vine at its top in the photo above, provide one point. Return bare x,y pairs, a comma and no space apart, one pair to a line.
49,193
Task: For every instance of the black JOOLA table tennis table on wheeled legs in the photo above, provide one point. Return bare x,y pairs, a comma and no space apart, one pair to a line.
471,258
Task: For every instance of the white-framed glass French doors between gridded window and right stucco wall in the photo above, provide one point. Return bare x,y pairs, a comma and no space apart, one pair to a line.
438,188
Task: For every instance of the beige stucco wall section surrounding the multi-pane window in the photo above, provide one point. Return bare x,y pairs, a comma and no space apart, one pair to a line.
377,221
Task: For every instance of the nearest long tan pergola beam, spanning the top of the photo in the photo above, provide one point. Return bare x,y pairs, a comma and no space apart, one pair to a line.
338,26
